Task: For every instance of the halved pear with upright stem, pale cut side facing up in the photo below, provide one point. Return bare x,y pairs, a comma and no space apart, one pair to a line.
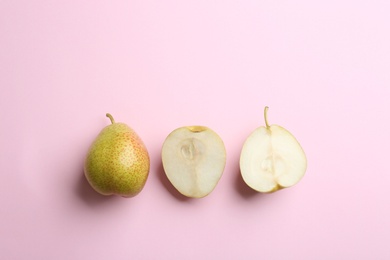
272,159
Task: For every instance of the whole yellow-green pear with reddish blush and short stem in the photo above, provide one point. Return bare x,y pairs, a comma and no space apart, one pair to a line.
117,162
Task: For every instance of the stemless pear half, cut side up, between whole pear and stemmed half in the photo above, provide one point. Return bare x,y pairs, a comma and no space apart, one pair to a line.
193,158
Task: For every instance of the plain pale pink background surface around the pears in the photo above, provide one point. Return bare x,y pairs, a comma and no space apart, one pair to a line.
323,68
